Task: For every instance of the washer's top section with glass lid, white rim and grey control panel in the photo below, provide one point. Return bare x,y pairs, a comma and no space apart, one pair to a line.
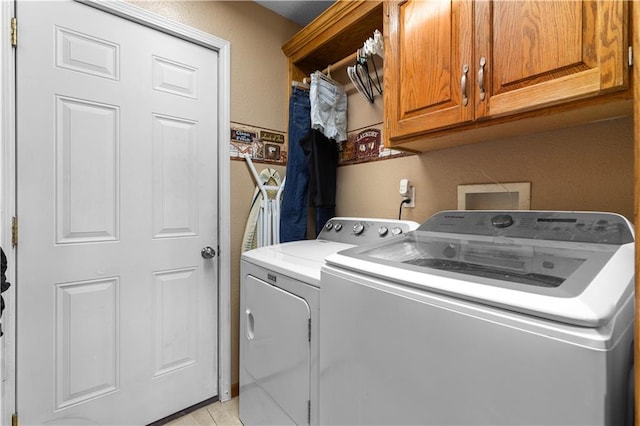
573,267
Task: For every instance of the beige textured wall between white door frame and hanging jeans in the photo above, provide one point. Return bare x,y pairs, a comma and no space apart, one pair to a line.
259,97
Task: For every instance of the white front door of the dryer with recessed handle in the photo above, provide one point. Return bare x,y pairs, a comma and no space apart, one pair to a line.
275,355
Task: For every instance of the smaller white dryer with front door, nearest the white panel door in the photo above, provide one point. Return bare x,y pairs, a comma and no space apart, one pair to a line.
279,320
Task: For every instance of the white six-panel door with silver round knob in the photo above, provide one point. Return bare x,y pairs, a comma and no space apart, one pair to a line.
117,195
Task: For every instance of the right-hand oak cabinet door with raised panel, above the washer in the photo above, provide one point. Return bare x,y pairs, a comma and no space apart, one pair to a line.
540,53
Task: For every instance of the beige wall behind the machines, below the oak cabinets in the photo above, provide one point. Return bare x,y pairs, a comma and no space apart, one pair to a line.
581,168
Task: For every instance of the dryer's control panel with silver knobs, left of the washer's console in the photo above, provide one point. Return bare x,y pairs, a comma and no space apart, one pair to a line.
357,231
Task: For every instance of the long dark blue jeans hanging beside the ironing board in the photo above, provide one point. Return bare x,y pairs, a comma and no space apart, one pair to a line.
293,211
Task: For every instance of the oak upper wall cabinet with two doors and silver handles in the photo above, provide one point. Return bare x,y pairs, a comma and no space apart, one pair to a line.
453,65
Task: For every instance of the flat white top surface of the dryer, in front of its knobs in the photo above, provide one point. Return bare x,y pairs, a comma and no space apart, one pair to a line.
300,260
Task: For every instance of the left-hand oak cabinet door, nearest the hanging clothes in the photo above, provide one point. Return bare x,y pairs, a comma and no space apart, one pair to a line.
428,44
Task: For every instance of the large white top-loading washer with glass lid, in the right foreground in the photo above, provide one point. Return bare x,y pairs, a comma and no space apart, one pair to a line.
482,318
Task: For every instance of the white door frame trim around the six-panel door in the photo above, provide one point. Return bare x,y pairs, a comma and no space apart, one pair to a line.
8,185
